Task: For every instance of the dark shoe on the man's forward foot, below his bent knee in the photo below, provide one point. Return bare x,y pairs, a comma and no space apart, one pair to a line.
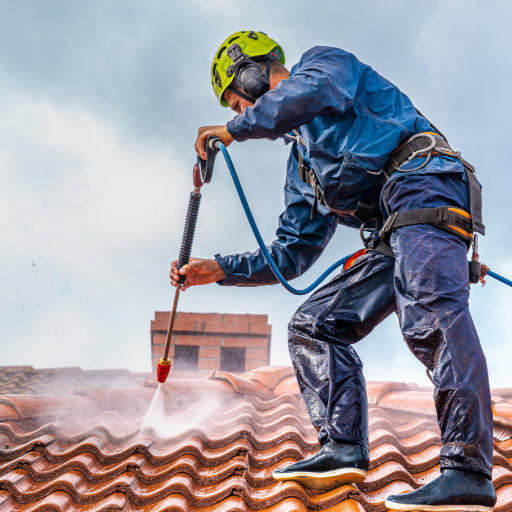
337,463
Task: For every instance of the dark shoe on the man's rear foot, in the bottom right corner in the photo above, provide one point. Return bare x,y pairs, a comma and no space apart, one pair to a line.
455,490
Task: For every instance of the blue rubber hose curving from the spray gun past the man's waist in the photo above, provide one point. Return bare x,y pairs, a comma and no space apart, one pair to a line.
268,257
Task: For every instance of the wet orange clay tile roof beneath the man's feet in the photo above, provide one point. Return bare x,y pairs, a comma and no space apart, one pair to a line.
211,445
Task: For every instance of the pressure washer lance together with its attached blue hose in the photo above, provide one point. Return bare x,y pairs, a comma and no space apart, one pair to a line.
203,171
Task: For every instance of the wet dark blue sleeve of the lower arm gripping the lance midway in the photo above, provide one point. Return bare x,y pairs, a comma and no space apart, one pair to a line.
300,241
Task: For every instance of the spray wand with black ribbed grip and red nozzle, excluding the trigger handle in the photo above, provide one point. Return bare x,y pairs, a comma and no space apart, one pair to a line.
164,364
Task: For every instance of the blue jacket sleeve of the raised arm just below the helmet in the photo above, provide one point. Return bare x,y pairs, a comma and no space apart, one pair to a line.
324,81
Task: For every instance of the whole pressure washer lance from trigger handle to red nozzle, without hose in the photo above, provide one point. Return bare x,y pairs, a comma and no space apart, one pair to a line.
203,171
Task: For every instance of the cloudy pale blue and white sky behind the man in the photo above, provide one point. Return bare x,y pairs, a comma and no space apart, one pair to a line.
100,102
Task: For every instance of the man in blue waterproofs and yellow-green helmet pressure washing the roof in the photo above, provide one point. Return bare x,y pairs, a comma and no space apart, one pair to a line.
361,155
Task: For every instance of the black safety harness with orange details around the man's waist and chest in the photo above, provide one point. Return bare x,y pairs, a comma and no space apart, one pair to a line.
448,218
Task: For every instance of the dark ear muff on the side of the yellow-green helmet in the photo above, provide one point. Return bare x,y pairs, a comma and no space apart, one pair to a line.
249,75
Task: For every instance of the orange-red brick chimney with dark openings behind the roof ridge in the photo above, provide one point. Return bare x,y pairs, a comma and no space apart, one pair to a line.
205,342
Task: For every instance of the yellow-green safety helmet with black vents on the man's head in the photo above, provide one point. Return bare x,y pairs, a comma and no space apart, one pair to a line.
252,45
